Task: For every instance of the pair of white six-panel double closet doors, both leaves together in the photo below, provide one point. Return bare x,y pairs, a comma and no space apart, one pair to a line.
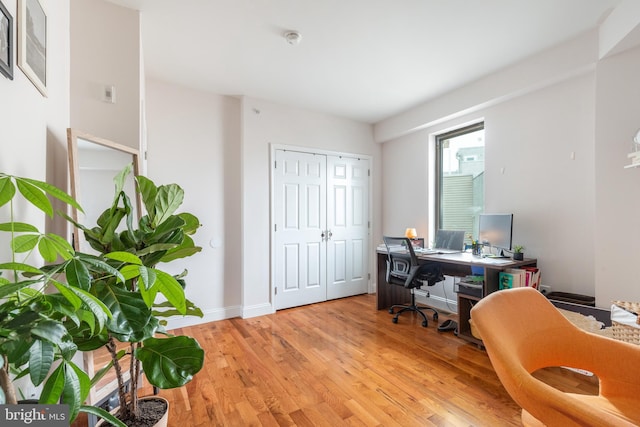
321,227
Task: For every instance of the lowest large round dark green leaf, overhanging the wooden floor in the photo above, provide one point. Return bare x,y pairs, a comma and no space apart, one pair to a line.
170,362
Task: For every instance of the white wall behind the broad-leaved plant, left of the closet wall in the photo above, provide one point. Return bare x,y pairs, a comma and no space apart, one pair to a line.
194,141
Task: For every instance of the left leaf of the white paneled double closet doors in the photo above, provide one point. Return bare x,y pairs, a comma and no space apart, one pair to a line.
300,221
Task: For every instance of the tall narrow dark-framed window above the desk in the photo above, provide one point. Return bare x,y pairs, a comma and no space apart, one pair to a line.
459,185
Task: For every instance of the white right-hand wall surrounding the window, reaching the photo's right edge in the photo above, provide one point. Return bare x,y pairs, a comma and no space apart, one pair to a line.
562,144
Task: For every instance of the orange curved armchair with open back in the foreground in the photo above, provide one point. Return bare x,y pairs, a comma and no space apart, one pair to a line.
523,332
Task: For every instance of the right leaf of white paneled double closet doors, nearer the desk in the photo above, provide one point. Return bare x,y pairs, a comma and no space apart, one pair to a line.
348,225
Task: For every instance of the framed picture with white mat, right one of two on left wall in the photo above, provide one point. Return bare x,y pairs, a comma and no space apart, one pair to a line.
32,42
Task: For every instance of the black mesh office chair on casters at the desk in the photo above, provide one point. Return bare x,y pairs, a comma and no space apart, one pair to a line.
403,270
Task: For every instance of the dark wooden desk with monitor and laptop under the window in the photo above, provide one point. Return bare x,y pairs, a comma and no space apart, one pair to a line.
458,264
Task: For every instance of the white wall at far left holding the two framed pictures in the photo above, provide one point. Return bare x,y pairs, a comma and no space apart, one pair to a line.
33,127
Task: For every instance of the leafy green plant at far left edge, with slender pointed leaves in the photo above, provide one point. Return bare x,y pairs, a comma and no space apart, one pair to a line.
38,301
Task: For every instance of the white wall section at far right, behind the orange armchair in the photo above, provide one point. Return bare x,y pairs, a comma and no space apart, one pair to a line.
616,232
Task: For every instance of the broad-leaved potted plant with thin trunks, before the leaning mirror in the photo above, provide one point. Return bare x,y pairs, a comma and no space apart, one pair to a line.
160,236
